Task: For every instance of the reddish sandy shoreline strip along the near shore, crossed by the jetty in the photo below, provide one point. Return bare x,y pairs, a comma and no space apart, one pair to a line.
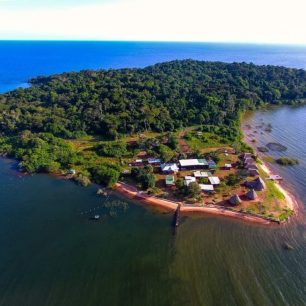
134,194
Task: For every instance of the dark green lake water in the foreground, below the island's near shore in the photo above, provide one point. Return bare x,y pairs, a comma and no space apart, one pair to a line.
51,254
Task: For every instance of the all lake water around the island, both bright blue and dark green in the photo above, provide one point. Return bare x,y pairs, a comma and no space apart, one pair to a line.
51,254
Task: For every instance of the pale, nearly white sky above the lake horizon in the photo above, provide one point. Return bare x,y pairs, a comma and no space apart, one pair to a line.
249,21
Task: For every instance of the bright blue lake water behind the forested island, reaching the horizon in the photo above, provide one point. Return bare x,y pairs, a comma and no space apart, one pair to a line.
20,61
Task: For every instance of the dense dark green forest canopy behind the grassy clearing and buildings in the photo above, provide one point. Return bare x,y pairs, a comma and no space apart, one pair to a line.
162,97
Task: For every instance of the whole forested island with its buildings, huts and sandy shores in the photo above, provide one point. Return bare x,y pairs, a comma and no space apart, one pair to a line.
168,134
